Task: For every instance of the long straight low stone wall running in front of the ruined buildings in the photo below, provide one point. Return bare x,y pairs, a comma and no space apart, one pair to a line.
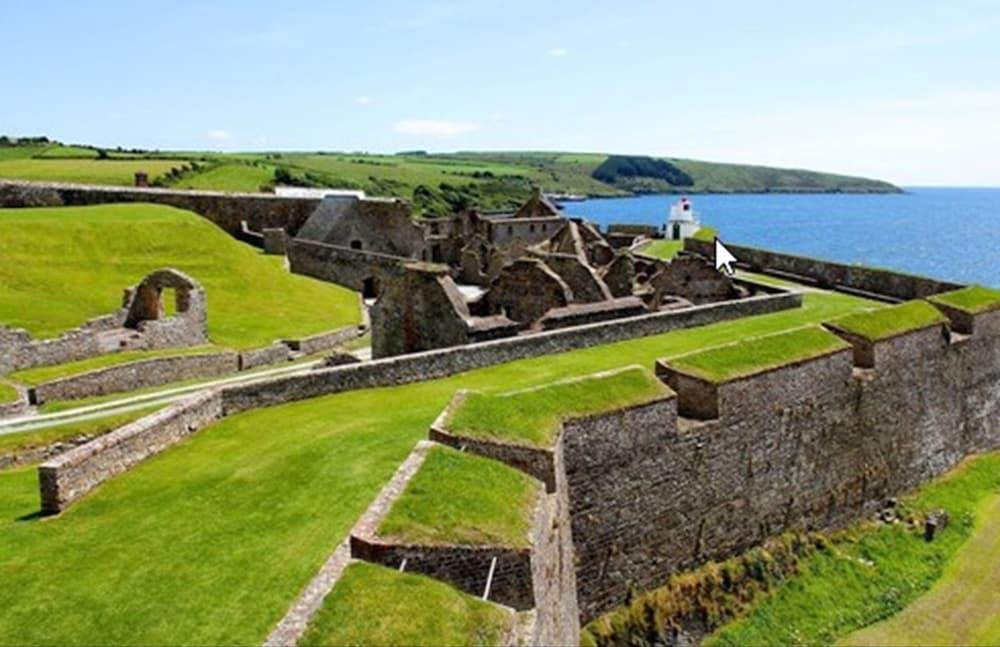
405,369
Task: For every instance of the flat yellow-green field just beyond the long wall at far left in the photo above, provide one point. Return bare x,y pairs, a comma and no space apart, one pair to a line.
86,171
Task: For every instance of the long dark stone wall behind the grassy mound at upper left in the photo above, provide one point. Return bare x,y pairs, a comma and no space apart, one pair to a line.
227,210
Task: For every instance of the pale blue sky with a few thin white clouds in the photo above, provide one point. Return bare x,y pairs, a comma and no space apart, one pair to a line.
904,91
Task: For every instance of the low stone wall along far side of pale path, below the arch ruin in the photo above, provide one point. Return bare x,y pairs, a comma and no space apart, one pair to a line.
136,375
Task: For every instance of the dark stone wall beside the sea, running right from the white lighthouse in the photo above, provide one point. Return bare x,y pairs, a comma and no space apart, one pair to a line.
827,274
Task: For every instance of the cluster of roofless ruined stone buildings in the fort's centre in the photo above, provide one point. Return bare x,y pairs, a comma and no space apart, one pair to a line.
471,277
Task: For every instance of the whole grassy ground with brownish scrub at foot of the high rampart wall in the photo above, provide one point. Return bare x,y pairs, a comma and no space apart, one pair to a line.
810,590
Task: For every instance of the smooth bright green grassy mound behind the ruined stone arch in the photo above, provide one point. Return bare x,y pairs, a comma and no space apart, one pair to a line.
63,266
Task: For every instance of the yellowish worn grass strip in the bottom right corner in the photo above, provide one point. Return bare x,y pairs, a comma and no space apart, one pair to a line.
963,607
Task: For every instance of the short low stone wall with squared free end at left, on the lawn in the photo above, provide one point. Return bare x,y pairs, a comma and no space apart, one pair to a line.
70,476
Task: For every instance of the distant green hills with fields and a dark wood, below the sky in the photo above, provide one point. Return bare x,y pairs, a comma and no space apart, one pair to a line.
435,183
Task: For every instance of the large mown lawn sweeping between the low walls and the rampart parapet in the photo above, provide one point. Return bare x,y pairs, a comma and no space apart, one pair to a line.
211,541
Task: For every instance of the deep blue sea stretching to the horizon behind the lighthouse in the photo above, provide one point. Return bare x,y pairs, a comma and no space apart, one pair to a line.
946,233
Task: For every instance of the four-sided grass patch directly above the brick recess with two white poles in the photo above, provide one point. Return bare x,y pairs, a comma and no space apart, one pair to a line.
459,498
